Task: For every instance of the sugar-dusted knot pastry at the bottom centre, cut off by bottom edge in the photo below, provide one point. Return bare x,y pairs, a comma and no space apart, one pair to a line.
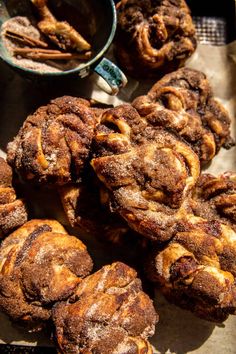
108,314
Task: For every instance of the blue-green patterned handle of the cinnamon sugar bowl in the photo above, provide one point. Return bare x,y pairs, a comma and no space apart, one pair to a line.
109,77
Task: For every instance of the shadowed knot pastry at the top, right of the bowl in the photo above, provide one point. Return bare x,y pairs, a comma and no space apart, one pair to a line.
153,37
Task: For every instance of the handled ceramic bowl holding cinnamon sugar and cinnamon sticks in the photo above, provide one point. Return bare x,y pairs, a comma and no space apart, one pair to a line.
54,39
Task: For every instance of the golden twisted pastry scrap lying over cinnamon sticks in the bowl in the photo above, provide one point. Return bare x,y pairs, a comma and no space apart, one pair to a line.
59,32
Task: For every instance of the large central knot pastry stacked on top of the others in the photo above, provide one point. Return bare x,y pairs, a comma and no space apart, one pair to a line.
148,171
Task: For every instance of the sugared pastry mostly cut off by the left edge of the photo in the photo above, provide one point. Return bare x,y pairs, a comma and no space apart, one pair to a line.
13,211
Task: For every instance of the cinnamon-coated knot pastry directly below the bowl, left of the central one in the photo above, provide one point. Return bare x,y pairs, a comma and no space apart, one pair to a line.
54,142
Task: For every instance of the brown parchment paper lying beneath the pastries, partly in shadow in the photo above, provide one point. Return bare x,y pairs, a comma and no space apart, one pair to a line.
178,331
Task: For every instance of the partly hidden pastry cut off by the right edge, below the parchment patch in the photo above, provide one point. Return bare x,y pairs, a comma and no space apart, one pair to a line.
215,198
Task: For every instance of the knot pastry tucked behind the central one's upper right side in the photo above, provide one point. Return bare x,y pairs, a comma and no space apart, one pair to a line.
183,102
